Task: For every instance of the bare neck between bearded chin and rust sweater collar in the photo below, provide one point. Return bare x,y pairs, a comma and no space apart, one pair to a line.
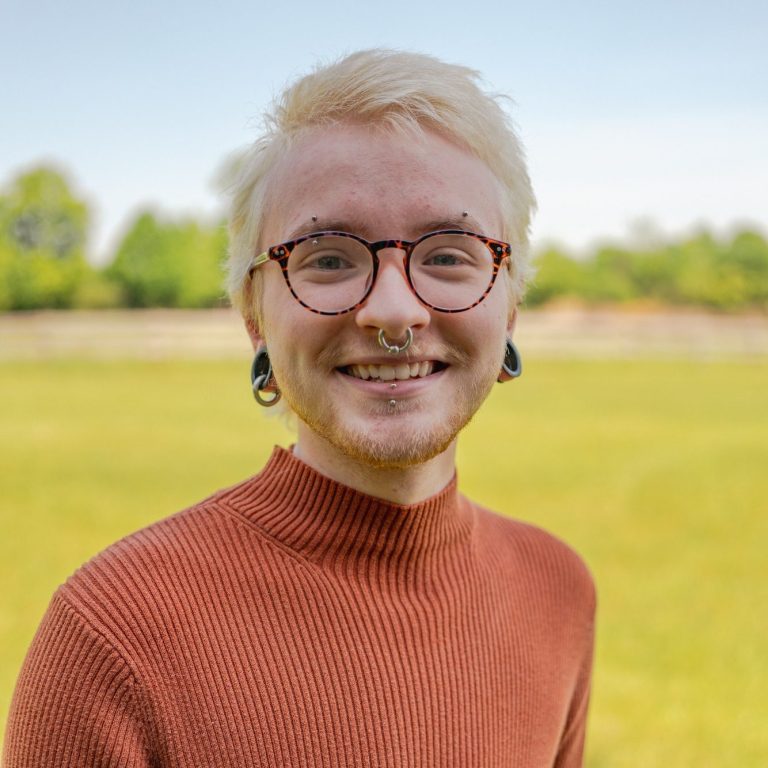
400,485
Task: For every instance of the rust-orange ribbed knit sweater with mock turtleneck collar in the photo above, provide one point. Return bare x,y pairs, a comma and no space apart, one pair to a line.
293,621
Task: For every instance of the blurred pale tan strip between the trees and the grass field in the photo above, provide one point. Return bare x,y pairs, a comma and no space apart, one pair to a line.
563,332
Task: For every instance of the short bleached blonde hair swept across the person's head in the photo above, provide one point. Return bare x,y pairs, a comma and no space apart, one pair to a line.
399,91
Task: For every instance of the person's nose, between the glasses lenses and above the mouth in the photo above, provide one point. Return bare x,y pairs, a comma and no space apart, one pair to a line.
391,305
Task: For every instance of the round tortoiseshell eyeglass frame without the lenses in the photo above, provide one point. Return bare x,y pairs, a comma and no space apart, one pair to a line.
281,252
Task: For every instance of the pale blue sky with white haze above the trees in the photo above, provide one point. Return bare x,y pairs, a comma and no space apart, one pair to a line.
639,119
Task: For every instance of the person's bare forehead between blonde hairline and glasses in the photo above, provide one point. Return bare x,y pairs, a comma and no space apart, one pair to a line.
383,184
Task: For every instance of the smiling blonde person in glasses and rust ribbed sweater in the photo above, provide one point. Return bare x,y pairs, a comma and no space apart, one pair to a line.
346,606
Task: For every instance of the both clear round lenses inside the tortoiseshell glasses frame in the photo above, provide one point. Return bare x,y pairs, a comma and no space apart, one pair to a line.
332,273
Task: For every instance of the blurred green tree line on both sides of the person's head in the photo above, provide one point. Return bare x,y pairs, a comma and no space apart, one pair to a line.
162,263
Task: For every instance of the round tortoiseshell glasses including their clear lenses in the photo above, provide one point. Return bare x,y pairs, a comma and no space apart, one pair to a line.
331,273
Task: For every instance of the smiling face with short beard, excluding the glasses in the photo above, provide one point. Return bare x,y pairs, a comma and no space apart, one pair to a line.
379,186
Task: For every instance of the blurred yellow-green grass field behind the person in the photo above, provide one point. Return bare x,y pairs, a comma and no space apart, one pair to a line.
654,471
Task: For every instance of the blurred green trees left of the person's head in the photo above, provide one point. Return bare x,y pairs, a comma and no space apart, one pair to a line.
158,263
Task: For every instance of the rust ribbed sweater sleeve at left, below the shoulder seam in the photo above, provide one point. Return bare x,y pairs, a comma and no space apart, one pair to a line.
75,701
